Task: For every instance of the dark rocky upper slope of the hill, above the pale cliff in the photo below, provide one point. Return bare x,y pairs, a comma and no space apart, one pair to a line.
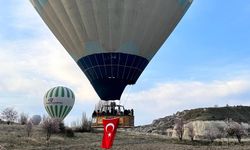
236,113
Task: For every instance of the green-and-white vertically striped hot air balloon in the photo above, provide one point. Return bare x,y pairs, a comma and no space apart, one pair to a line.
58,102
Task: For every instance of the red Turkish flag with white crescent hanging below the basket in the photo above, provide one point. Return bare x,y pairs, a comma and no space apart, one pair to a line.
109,131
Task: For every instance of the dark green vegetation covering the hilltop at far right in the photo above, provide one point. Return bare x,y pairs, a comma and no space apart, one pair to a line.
236,113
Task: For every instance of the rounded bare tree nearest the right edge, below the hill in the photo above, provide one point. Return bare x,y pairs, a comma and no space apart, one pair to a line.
235,129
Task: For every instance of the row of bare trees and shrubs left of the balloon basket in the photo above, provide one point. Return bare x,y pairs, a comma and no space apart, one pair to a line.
49,125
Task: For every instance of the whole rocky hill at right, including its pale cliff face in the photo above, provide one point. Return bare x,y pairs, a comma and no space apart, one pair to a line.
201,119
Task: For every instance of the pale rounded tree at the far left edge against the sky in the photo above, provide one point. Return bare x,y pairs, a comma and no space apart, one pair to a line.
10,115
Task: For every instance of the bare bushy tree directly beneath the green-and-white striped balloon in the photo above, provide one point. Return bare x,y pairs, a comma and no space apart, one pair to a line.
50,126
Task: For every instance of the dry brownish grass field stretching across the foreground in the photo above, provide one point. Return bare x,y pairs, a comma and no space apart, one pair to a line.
14,137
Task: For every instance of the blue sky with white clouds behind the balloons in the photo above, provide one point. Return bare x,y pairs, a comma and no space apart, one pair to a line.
205,62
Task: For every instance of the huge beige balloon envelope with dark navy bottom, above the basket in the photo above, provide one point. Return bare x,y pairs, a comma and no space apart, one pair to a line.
112,41
